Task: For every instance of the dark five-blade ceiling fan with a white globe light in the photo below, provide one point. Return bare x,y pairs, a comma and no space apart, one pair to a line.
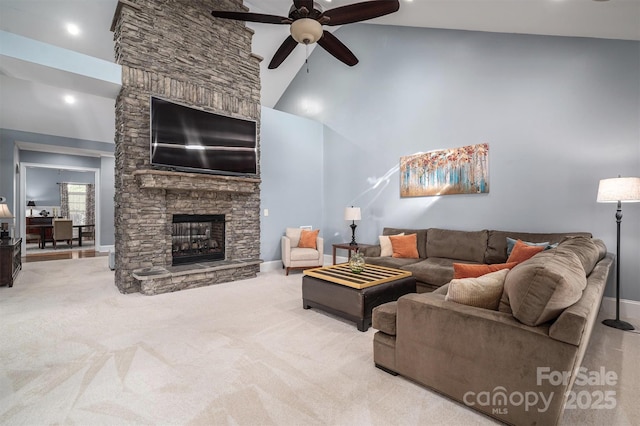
307,17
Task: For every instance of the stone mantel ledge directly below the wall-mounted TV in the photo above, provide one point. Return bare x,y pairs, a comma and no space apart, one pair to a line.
160,179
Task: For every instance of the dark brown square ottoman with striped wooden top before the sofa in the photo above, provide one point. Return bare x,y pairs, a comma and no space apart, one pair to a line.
353,304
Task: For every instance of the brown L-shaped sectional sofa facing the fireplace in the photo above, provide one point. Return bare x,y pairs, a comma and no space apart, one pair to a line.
500,361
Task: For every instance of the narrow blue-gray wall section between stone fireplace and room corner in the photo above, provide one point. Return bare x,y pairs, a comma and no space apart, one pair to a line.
291,169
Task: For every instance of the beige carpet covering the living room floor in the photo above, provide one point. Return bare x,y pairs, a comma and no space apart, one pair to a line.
76,351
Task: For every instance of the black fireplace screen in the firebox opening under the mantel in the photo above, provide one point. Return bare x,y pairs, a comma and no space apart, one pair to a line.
197,238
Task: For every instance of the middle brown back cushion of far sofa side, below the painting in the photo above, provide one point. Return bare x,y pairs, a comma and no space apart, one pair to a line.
459,245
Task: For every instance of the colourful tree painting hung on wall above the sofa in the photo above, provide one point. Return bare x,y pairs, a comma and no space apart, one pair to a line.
463,170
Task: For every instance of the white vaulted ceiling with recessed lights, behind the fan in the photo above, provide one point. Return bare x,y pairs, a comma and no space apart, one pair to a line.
32,93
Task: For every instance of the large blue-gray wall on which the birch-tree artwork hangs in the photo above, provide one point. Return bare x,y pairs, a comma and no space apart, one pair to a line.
558,113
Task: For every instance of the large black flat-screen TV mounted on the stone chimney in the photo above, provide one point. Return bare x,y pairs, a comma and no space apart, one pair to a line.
189,139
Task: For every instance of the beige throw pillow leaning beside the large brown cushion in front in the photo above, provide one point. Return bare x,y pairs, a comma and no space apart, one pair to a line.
482,292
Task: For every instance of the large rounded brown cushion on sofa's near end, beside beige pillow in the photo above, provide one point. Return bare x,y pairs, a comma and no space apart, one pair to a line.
539,289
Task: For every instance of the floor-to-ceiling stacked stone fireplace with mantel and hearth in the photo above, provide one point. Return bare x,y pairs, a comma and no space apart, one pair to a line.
175,50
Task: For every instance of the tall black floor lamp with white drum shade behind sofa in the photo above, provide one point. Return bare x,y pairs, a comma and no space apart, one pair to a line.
611,191
